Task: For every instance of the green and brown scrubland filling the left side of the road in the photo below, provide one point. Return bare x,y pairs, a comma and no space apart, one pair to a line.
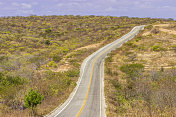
45,53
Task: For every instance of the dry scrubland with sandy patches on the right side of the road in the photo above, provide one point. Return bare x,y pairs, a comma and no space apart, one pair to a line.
140,77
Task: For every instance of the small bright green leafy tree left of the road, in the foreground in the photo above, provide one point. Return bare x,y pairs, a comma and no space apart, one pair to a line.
32,99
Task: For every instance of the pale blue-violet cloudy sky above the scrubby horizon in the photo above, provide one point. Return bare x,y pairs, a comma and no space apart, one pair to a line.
132,8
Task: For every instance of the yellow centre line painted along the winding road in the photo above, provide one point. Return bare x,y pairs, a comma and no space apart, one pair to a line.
85,100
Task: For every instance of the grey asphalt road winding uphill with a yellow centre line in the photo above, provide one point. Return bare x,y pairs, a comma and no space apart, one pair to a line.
87,99
